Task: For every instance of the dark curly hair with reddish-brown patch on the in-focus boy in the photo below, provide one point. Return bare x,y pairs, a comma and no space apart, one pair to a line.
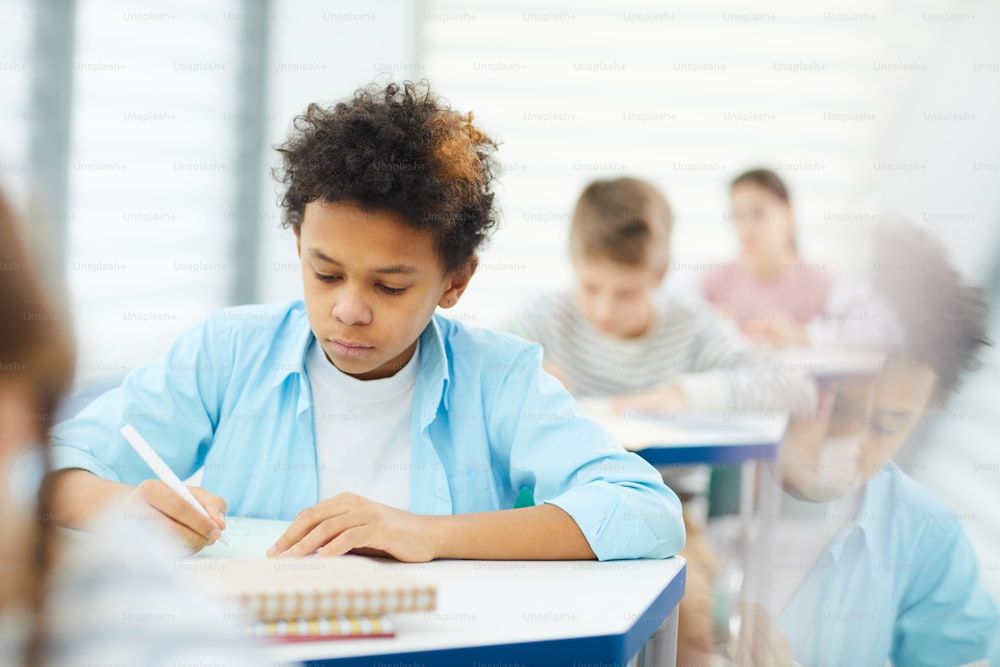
399,149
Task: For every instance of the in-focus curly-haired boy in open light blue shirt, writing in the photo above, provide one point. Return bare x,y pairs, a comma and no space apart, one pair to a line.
370,422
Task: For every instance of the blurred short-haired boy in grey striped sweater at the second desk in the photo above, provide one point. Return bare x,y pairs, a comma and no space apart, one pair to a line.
616,335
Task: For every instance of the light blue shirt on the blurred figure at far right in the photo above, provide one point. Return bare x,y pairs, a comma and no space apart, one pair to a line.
900,583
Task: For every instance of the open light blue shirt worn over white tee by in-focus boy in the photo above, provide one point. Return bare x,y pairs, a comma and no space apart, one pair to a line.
232,396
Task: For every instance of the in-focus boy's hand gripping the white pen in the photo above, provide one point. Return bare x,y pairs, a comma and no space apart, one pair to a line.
195,531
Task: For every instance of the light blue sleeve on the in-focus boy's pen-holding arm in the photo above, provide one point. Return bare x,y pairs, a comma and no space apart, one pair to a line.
173,402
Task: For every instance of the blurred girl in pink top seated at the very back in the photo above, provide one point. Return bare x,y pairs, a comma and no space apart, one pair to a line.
772,295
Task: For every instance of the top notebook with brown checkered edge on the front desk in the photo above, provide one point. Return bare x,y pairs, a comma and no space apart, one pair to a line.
290,589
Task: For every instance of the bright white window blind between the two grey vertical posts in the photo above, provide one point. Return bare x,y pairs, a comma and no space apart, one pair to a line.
151,174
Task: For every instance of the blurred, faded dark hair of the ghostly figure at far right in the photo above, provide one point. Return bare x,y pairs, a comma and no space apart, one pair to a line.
944,319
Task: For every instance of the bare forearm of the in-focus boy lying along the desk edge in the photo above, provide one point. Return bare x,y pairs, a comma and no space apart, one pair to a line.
544,532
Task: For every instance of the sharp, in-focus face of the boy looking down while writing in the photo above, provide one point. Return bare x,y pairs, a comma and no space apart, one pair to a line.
371,285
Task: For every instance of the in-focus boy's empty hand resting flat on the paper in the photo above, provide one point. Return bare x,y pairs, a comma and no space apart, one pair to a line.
348,522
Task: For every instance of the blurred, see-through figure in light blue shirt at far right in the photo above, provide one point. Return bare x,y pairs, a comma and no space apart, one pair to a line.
869,566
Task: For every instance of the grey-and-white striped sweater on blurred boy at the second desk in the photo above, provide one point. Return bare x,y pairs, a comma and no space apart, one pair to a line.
687,344
